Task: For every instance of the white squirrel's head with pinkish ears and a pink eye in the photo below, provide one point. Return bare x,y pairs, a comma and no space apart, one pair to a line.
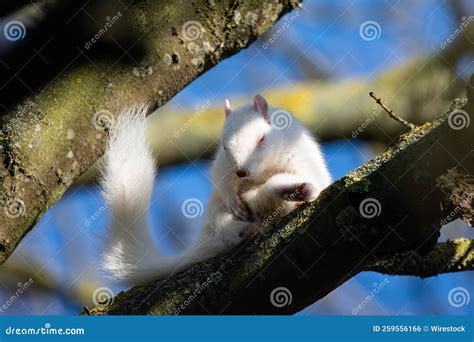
246,136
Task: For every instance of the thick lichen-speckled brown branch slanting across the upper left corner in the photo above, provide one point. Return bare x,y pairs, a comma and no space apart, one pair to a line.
55,135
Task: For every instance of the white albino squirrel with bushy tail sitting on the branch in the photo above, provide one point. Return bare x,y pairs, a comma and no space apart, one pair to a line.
262,171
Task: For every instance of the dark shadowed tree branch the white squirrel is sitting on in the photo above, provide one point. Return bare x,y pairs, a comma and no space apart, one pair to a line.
384,216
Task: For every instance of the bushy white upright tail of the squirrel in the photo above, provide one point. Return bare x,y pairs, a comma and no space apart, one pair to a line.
130,256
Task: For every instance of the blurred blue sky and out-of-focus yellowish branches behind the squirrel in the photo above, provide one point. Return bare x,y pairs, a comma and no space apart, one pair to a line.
316,56
